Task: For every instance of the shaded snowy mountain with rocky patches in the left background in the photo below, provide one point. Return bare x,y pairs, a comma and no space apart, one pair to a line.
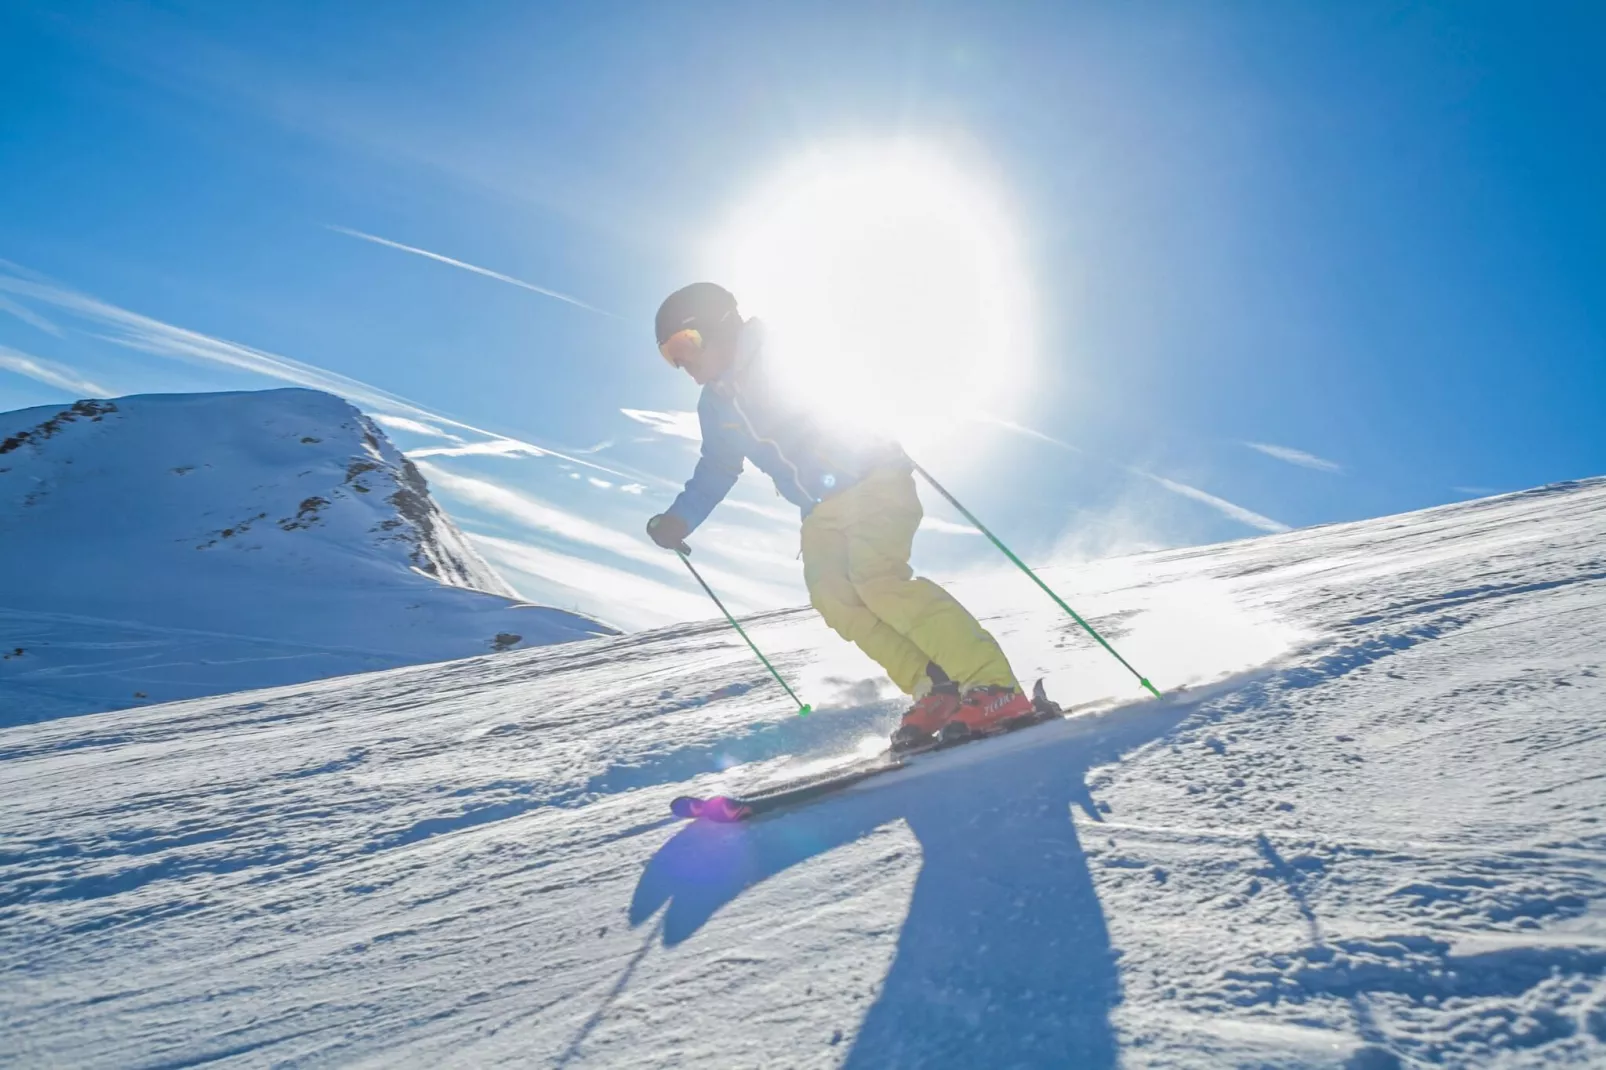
165,547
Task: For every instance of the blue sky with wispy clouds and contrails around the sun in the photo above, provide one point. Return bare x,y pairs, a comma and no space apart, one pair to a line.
1289,264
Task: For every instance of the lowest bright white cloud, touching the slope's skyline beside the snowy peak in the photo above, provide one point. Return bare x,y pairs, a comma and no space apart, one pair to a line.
619,597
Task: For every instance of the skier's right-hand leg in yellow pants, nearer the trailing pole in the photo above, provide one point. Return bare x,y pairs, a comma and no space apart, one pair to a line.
884,513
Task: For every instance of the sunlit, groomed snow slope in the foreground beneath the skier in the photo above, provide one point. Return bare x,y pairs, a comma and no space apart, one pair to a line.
1369,836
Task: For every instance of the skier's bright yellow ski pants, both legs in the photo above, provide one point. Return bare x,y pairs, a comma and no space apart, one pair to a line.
857,552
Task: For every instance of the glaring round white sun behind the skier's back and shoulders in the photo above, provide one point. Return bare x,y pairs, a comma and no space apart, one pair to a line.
891,287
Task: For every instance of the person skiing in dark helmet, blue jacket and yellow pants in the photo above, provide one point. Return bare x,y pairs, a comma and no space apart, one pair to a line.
860,515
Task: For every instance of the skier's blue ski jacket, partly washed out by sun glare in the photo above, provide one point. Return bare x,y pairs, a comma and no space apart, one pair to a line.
746,415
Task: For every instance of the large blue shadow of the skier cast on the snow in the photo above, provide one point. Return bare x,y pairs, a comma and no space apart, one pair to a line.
1005,958
